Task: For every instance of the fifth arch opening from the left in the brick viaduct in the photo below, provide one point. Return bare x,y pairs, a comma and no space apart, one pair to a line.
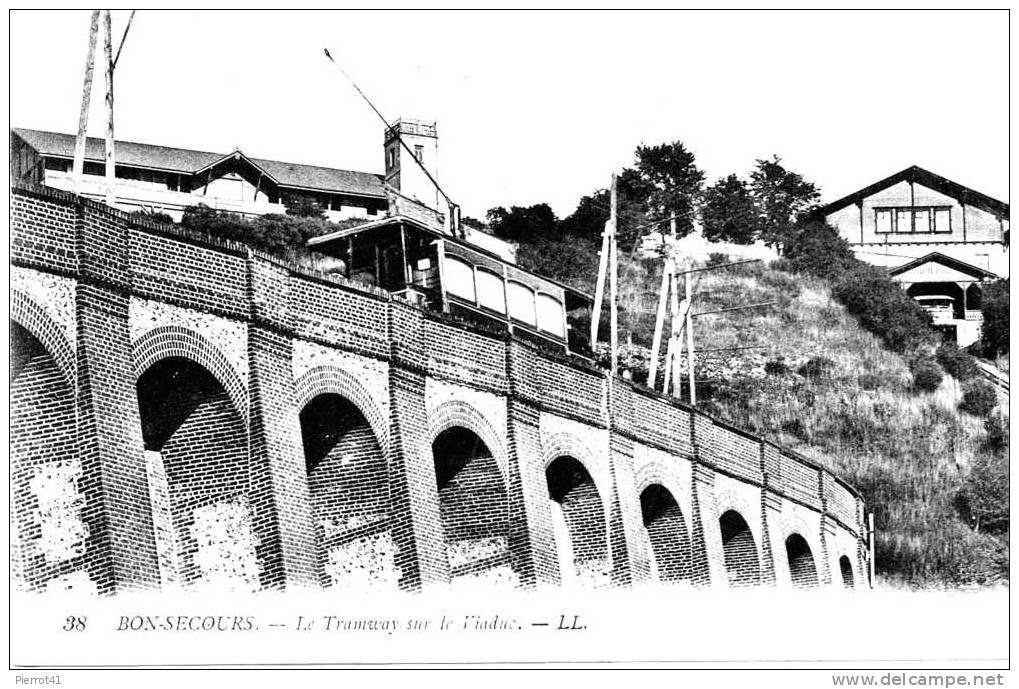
579,524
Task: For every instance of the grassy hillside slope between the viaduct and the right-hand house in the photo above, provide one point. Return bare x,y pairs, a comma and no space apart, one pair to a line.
825,387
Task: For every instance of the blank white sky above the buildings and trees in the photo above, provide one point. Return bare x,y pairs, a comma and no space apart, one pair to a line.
537,108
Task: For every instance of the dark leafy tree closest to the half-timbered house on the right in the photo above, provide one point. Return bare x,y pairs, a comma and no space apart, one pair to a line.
782,197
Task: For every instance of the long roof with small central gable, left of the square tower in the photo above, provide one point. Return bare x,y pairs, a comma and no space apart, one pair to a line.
187,162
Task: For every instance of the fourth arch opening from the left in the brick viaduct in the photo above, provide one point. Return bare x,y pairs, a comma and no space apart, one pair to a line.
474,509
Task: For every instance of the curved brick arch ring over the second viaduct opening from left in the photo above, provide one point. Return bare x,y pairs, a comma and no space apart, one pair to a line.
173,341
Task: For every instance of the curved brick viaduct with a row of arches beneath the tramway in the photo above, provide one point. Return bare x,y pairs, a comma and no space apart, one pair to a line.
189,413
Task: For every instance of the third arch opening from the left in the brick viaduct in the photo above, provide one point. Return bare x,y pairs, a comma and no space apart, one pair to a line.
348,481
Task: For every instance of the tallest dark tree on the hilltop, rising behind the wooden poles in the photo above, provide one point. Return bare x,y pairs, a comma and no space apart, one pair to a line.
672,183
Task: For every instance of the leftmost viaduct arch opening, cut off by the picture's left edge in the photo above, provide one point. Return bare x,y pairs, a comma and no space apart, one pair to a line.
49,533
